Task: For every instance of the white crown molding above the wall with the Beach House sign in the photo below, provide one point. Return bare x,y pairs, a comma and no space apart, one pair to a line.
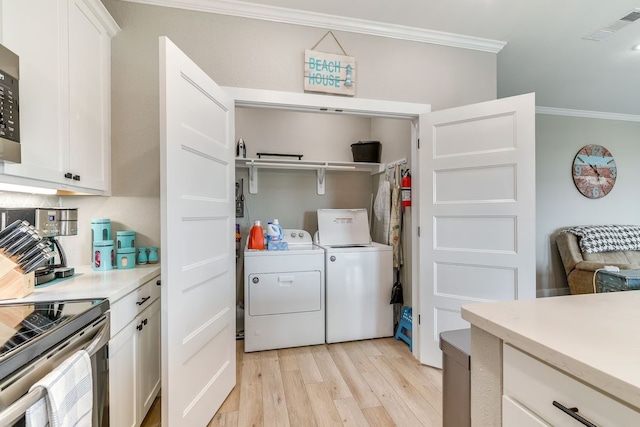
331,22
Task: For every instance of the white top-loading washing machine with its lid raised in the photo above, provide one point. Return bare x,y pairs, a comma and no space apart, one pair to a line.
359,277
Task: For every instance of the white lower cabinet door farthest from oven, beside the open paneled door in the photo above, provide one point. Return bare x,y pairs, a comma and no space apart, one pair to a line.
148,357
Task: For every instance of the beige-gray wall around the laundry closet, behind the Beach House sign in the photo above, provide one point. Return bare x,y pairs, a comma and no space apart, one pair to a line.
255,54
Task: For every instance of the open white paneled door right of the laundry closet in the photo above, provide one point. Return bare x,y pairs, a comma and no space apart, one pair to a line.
477,212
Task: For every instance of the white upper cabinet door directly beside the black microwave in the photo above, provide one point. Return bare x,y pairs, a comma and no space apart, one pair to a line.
33,30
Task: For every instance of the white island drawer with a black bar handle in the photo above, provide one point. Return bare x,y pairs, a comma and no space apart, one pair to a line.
536,385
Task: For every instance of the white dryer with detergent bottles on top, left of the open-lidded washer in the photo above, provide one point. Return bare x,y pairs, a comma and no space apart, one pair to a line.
284,295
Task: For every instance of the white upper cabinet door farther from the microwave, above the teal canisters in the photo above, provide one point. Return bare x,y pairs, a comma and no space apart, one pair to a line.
89,99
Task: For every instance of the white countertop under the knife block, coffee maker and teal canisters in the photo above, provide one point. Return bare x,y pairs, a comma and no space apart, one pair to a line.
86,283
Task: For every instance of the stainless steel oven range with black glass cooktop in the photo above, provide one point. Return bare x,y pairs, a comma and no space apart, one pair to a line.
35,338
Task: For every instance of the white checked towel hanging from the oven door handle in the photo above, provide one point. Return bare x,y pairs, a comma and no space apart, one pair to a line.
69,398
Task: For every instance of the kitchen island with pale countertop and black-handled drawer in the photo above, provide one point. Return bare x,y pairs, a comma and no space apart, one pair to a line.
578,351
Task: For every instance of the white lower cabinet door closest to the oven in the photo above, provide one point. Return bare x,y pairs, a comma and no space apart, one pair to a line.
123,377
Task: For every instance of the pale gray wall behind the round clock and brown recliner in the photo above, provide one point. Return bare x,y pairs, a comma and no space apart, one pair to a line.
559,204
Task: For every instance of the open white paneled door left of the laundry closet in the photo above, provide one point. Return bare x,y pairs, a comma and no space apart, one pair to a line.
198,270
